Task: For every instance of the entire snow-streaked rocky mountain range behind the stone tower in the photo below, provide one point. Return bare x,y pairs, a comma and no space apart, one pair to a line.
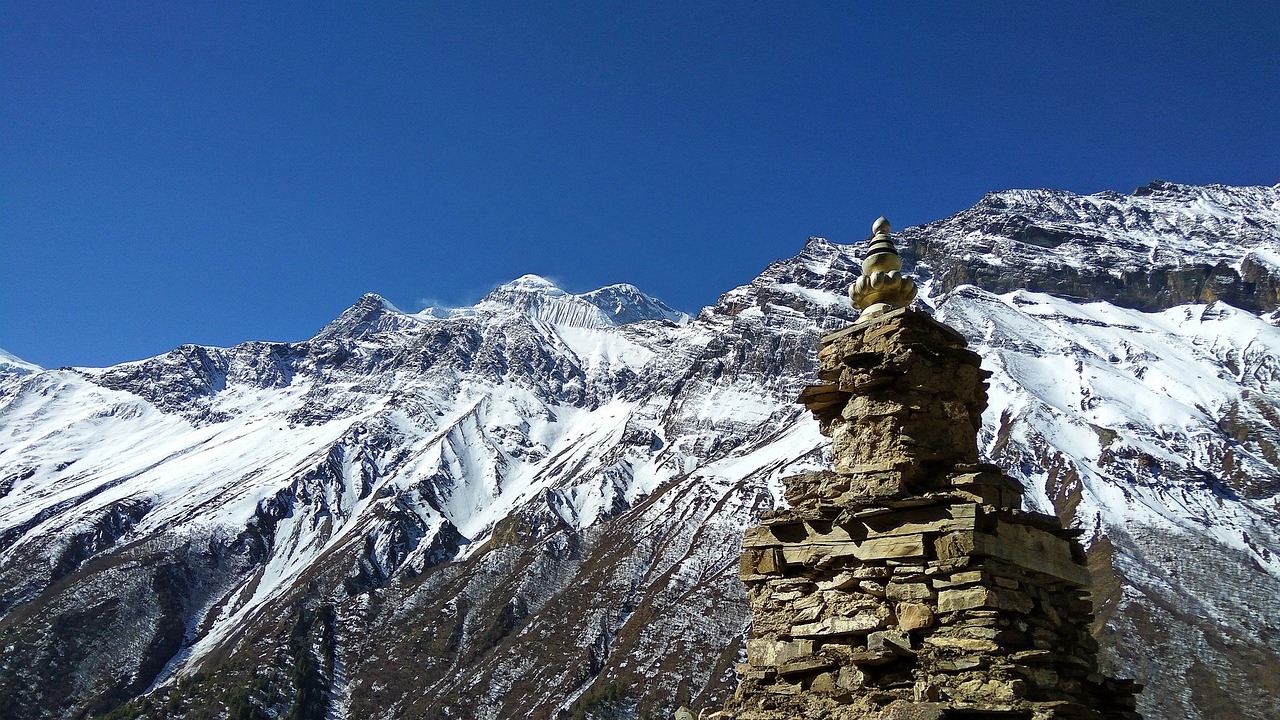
533,508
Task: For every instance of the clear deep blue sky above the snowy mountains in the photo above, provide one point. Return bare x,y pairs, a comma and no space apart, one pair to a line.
216,172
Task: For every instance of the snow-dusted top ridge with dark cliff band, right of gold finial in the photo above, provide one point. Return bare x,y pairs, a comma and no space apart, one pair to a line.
1165,245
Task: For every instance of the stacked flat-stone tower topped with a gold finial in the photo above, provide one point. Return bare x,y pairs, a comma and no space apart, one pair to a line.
908,585
